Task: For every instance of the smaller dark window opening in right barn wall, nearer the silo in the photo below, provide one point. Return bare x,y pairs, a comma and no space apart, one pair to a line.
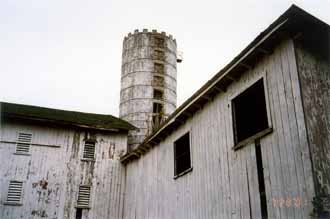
182,160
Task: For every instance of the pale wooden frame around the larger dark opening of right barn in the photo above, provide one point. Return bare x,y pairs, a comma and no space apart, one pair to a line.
260,134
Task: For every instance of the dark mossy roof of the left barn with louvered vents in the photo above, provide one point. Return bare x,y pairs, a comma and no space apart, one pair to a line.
64,117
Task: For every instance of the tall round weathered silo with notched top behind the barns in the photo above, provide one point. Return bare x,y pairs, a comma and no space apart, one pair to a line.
148,81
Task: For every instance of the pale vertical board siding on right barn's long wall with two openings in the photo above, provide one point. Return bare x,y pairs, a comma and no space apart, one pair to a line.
224,182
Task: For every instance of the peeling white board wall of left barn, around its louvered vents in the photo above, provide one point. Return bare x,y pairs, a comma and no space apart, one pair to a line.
53,171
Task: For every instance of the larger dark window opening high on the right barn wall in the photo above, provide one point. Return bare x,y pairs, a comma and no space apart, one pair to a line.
250,112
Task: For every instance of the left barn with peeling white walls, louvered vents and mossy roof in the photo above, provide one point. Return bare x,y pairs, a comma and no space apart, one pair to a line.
60,164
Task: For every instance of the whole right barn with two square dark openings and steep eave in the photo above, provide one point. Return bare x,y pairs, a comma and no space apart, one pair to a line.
253,142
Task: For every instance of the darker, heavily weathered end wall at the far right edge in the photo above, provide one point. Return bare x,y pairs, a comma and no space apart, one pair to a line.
314,72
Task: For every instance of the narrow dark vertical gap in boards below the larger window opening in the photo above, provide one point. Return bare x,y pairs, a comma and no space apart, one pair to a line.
261,181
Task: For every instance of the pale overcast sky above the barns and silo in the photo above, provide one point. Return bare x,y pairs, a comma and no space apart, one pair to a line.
67,53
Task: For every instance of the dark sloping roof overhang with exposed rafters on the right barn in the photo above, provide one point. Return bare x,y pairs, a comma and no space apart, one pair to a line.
292,23
